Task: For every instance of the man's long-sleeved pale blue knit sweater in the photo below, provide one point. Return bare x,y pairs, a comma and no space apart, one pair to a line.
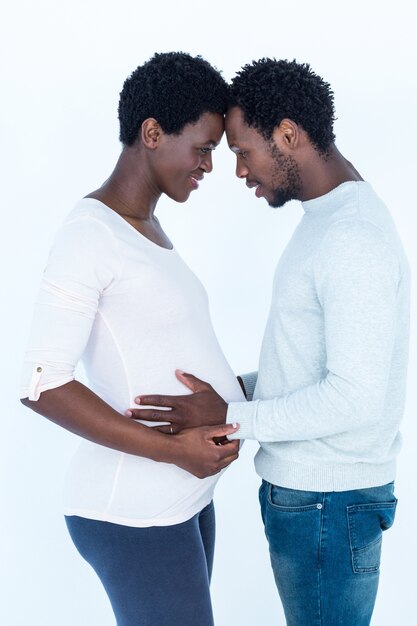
330,389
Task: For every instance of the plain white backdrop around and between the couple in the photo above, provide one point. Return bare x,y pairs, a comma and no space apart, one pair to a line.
63,65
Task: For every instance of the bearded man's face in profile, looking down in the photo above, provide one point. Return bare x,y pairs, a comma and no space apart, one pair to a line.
274,174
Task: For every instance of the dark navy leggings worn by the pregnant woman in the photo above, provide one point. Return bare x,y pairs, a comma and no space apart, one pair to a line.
157,576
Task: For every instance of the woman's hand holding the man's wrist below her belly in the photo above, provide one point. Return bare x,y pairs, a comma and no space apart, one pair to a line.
195,450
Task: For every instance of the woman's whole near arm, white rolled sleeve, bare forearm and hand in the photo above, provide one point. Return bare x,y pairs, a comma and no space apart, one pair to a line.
83,263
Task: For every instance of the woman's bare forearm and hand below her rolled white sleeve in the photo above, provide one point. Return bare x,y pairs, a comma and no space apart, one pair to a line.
76,408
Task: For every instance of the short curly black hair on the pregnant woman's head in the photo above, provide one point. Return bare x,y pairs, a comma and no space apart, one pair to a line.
175,89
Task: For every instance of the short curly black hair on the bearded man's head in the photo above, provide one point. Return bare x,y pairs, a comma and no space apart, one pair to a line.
268,91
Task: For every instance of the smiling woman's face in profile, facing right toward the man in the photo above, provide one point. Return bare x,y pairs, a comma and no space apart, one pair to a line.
184,159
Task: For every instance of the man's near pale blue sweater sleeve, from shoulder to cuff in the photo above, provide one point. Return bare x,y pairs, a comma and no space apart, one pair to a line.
357,278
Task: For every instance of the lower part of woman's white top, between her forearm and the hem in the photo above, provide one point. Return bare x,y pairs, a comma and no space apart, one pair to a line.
110,485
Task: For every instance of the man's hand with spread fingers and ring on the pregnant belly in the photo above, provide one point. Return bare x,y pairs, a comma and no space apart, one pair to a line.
204,407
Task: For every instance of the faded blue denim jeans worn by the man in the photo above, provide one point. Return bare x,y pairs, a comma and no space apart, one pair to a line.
325,551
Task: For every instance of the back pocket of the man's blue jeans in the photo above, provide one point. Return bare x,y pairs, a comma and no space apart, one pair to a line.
366,523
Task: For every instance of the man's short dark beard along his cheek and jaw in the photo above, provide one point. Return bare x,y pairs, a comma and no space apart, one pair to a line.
285,168
